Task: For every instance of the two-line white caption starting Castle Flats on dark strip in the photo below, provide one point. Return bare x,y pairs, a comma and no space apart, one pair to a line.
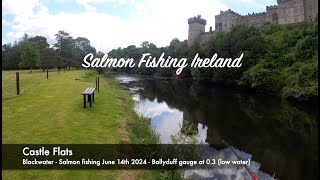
108,156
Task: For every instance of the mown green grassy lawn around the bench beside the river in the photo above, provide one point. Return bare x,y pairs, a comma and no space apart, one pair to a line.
51,112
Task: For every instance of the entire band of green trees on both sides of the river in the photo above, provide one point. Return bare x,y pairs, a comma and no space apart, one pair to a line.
281,60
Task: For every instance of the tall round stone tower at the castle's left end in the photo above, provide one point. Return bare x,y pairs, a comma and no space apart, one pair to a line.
196,27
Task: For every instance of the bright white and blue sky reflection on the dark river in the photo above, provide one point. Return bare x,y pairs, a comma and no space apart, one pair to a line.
167,121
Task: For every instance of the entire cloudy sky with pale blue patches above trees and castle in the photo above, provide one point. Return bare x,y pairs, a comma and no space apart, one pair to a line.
110,24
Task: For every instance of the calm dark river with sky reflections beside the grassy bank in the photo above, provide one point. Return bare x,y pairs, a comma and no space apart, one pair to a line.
280,138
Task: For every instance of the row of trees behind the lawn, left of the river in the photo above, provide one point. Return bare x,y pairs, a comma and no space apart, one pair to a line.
35,52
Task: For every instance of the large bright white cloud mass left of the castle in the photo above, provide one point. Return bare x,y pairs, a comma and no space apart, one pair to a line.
155,21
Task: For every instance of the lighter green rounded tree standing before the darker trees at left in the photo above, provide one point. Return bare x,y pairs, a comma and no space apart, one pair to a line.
29,55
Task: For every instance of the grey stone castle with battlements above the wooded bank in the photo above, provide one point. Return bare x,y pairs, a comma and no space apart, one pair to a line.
286,12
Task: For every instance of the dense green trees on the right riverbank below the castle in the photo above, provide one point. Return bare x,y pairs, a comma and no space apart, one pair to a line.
280,60
